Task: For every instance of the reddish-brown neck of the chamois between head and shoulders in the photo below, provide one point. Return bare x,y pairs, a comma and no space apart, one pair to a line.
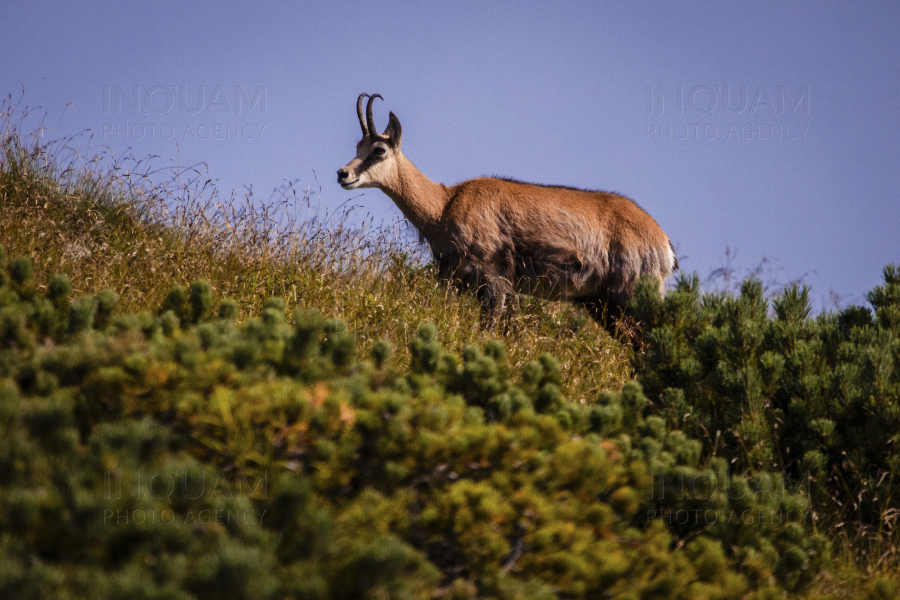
421,200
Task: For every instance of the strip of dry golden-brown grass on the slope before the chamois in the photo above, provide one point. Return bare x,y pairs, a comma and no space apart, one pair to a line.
124,225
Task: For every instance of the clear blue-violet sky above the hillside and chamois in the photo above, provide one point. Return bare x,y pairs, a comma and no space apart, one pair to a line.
770,128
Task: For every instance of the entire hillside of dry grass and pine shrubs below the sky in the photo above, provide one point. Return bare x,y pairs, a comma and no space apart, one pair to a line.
200,400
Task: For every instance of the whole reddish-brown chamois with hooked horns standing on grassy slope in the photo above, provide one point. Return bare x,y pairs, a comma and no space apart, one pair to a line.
501,236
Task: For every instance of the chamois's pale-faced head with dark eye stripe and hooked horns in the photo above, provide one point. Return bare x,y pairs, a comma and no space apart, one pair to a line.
376,154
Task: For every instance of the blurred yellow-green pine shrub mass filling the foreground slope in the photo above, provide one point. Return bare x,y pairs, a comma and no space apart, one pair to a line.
180,455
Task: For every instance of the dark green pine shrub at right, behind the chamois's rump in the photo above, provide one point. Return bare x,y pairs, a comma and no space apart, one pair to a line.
770,388
